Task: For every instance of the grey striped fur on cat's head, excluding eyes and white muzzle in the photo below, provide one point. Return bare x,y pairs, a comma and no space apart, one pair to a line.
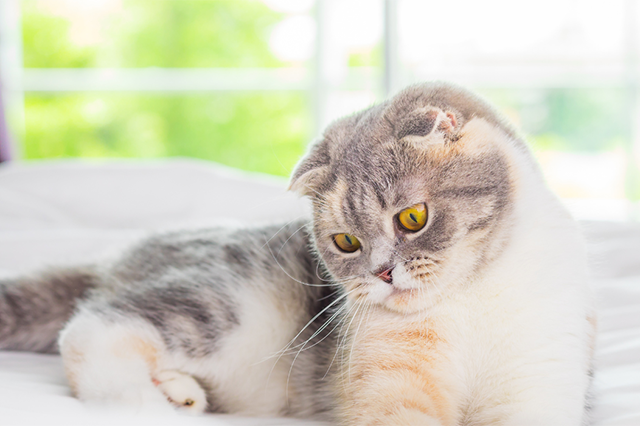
468,193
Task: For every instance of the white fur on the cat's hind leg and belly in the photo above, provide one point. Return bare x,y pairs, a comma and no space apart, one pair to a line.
249,382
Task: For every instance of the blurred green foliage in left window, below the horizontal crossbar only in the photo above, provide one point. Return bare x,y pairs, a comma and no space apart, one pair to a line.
261,132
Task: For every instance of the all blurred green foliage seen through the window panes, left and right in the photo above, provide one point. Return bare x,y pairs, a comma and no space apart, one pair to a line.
262,131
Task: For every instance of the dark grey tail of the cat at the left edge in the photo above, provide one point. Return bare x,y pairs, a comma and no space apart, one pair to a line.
34,309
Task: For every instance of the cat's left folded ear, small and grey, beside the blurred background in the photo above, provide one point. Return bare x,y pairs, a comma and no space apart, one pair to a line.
311,171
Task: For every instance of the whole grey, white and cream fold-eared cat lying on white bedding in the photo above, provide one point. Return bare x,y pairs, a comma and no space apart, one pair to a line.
439,283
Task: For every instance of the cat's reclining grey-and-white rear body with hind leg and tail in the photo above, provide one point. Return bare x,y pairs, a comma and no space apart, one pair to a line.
219,305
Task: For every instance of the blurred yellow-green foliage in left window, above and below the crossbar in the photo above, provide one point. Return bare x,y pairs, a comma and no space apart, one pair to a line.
254,131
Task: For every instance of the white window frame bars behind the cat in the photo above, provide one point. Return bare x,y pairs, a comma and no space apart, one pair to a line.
18,80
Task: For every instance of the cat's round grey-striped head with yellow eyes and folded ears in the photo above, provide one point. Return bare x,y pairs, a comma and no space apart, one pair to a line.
410,197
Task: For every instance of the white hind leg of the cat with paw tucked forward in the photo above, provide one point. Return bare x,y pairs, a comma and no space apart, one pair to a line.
118,361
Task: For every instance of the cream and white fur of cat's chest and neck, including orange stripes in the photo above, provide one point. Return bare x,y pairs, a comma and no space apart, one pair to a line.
509,347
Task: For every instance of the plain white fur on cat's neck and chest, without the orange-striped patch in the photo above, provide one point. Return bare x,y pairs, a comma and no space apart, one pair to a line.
517,335
